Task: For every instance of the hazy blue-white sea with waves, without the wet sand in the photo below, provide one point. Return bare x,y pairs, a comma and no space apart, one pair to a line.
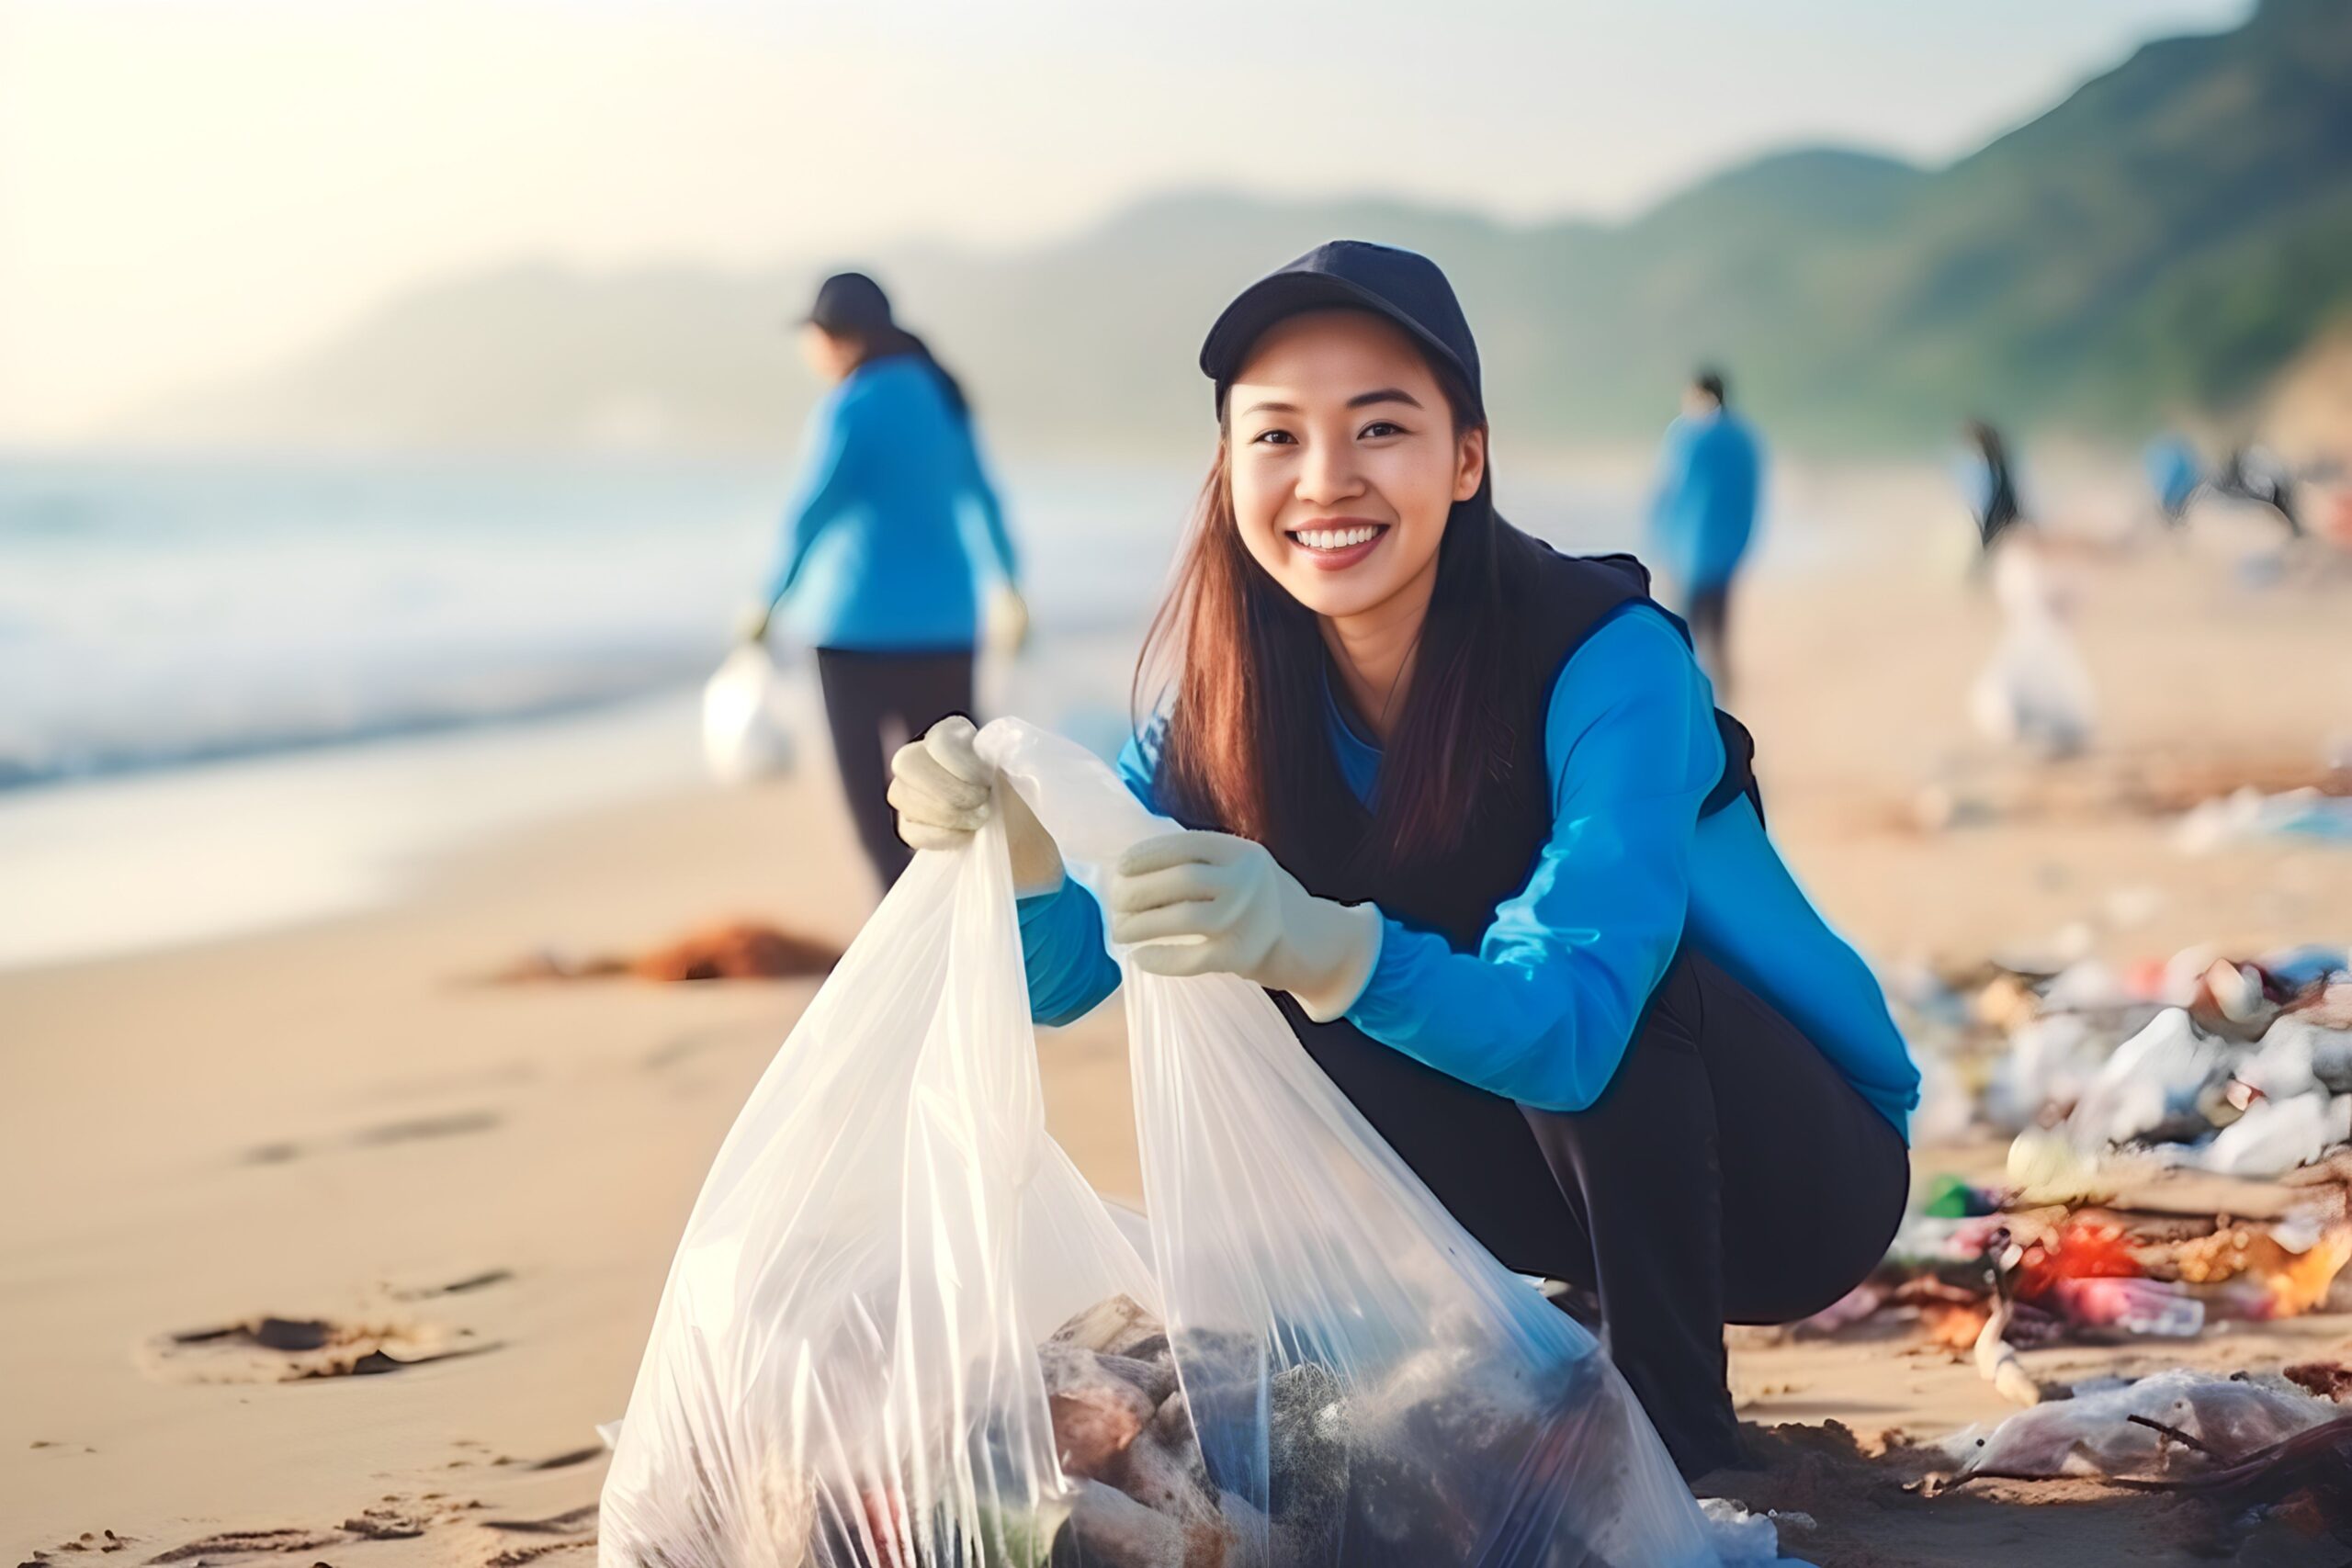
159,615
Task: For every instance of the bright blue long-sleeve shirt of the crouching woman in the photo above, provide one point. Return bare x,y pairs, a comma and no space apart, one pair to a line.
1549,1003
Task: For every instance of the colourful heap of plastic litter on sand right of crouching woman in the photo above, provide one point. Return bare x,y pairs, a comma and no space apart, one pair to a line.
2179,1162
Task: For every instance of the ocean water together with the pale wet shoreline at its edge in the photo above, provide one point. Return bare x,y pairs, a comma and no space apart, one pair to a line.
239,695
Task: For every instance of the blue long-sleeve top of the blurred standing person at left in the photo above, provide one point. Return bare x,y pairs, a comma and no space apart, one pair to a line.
874,542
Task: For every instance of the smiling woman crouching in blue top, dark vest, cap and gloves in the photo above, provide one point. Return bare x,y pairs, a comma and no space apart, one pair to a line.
1469,810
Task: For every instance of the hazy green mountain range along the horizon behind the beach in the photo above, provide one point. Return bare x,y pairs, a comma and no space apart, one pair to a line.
2163,241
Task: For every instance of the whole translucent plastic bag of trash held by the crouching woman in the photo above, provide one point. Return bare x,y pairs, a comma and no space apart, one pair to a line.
902,1329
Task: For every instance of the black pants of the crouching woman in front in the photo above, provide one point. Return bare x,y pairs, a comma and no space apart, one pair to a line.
1728,1177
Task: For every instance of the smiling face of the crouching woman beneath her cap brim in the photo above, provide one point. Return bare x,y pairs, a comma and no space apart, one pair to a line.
1344,460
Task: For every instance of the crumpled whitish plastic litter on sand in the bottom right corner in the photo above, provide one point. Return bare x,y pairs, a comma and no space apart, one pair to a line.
2137,1430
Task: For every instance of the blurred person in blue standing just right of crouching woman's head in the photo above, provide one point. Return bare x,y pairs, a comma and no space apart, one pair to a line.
1704,514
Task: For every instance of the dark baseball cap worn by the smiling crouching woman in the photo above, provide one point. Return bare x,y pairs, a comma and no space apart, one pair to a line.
1401,286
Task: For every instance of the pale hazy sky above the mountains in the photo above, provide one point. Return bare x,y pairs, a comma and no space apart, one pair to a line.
203,187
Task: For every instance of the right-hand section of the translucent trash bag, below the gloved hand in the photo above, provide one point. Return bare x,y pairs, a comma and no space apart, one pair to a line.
1476,1421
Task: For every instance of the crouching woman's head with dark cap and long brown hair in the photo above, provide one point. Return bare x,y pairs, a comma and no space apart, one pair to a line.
1351,464
